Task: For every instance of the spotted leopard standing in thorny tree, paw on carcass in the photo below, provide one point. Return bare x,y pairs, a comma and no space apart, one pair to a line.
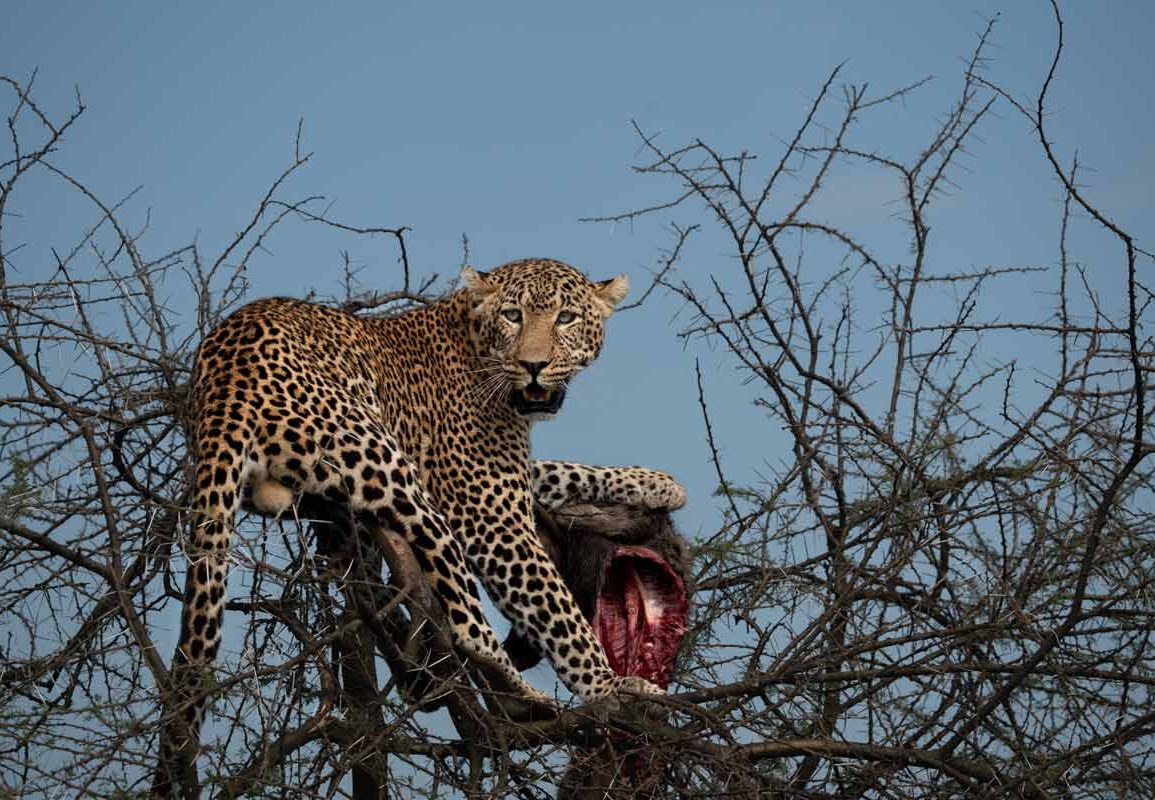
421,422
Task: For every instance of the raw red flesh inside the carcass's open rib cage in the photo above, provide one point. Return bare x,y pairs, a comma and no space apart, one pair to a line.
642,615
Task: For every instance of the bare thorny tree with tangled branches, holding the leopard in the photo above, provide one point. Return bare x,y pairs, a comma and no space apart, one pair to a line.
945,589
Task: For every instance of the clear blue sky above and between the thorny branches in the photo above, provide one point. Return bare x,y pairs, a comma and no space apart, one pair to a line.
510,122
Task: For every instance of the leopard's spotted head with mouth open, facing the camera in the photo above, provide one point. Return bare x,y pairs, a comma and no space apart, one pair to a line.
535,325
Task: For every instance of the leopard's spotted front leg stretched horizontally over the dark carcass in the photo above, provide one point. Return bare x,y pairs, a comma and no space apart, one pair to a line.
560,483
